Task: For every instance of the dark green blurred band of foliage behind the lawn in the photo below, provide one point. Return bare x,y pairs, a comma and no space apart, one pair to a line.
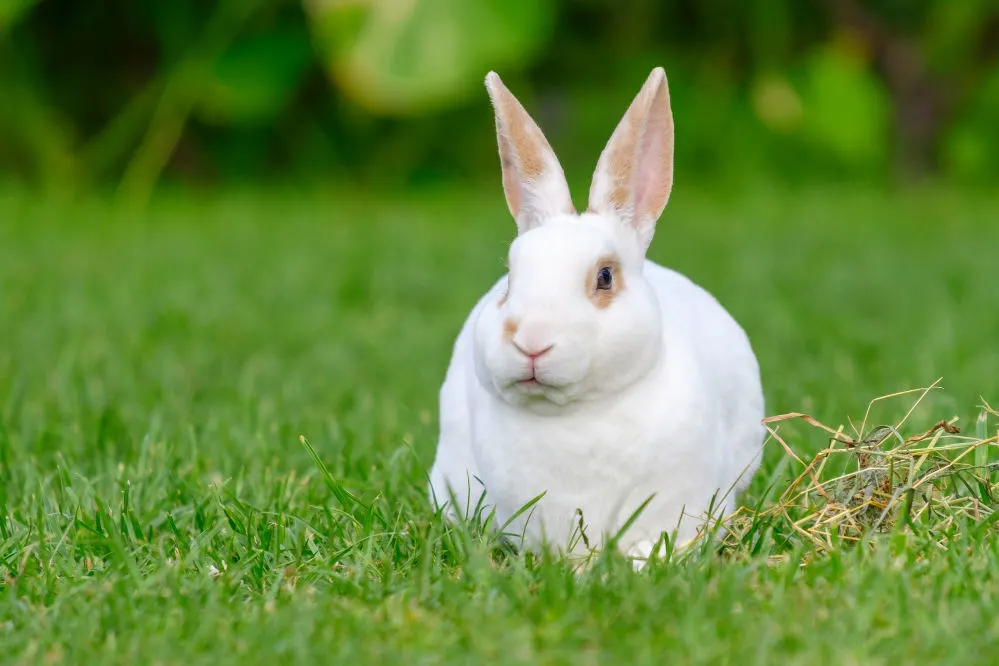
389,92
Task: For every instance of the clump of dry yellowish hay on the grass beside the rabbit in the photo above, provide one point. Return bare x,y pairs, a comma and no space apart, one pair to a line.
928,482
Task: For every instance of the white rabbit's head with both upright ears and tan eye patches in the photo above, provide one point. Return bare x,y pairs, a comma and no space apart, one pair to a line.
578,319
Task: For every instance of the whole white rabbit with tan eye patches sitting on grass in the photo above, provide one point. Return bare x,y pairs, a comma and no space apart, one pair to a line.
590,373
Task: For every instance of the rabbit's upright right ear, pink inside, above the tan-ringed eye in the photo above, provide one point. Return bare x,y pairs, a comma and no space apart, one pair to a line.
634,175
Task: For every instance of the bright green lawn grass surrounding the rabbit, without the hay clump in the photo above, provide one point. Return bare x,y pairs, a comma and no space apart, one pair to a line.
156,374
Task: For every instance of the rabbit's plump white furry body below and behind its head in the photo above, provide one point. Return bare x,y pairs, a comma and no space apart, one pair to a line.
687,430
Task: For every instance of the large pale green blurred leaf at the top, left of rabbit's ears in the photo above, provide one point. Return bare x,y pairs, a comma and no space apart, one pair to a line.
399,57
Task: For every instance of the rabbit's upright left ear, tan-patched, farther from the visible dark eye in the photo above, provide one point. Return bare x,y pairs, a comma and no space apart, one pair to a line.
533,181
